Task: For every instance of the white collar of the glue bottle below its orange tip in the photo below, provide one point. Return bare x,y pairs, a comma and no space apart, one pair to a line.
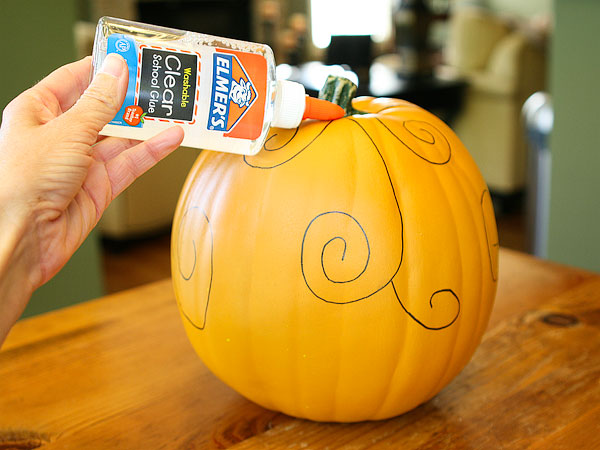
290,102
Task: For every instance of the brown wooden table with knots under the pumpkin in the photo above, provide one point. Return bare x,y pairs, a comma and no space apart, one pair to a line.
118,372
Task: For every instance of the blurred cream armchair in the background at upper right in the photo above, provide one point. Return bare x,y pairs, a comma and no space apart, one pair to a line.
503,65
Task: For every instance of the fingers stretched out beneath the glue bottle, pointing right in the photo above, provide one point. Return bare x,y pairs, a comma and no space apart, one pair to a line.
124,168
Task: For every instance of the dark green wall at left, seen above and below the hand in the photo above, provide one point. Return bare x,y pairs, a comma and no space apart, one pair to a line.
36,37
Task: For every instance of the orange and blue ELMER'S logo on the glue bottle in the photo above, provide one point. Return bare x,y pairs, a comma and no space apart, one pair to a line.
237,99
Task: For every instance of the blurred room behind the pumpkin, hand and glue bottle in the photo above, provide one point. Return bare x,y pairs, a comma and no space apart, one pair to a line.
516,80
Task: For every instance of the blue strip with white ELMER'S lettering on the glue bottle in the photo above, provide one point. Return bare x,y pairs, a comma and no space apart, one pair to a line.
219,109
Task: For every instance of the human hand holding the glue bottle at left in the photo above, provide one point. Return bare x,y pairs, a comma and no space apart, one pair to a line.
57,176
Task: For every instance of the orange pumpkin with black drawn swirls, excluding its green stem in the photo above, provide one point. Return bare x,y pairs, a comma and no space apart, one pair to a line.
346,272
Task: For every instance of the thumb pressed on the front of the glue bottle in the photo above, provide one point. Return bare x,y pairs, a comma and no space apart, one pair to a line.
101,100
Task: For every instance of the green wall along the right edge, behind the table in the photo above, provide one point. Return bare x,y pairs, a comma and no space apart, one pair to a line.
574,228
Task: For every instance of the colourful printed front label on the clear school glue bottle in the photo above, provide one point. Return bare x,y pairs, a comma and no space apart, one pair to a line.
165,85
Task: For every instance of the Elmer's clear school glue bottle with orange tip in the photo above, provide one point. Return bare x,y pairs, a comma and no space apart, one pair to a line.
222,92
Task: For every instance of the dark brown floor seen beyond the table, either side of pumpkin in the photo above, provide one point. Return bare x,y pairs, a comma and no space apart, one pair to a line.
133,263
